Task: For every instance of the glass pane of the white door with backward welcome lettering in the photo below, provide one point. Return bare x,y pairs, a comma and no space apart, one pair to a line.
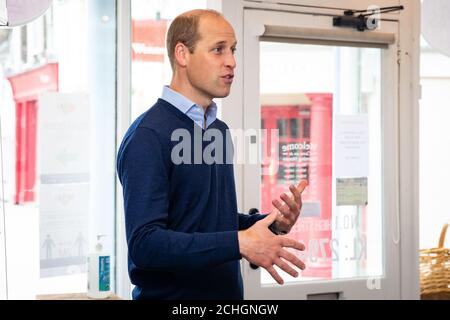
335,121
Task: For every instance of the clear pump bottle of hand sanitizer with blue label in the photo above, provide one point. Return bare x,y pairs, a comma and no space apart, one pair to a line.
99,286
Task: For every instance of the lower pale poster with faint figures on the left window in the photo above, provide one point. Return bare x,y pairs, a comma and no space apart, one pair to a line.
63,228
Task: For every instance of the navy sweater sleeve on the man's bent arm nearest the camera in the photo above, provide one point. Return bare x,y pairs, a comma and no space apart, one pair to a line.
143,172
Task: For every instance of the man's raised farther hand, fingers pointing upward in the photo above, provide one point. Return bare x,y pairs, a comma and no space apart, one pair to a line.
289,212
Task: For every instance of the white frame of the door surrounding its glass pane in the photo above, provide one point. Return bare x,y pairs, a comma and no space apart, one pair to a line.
346,289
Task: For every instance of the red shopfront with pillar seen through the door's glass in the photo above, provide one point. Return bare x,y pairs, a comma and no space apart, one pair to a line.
305,123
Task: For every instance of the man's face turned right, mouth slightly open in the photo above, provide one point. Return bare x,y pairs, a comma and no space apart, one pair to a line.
210,69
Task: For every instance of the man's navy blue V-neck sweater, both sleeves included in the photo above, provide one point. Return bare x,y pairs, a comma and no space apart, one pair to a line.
181,219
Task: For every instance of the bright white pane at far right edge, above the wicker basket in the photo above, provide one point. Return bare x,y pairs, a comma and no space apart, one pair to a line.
434,145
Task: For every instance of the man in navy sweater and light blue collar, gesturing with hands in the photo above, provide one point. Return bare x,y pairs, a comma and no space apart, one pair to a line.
185,236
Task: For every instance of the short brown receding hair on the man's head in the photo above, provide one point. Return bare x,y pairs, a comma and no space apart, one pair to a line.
184,29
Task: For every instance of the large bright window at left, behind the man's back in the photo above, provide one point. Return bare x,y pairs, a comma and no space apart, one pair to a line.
57,92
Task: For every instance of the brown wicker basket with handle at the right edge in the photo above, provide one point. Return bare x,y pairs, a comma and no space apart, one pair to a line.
435,271
